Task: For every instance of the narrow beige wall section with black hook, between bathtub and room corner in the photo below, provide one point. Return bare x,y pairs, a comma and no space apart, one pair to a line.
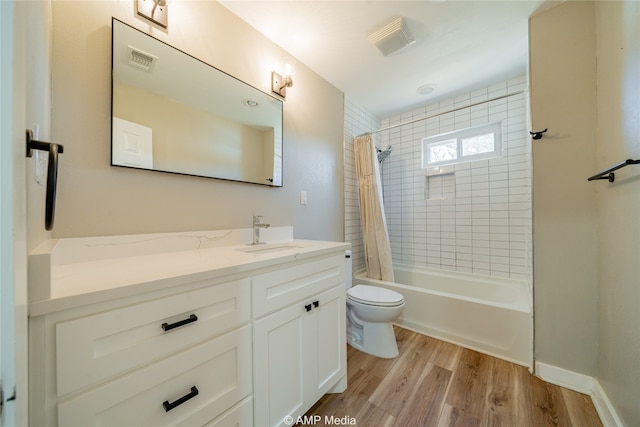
565,217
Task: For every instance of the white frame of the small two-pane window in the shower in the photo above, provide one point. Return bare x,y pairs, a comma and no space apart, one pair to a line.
458,136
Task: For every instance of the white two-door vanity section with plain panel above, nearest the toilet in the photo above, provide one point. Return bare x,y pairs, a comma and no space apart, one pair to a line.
299,344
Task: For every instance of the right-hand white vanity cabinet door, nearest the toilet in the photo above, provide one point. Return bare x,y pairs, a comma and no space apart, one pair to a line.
326,357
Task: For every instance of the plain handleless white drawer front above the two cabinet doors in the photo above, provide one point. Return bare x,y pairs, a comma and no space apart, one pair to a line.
278,289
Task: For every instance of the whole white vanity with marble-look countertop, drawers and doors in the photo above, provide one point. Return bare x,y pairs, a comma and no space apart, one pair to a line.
194,328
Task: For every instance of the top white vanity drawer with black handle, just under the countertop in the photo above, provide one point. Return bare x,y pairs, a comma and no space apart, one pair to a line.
97,347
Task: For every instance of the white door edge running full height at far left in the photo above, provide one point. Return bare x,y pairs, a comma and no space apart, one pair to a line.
13,252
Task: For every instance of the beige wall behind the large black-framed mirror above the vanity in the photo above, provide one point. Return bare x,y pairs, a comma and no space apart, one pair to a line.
95,198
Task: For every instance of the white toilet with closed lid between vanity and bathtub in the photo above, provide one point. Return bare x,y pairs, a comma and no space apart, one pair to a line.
370,311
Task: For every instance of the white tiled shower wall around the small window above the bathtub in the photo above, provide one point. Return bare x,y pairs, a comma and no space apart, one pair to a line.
485,227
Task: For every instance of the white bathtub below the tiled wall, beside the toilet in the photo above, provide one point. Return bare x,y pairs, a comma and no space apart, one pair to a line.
487,314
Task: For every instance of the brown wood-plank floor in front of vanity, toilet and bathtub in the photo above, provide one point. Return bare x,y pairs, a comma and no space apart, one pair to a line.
434,383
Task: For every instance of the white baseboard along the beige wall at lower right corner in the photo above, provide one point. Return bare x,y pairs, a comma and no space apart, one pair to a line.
582,384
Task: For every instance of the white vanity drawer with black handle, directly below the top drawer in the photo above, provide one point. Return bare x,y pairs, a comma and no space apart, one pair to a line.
220,370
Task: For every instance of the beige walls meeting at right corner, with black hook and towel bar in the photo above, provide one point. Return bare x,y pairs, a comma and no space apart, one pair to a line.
585,74
